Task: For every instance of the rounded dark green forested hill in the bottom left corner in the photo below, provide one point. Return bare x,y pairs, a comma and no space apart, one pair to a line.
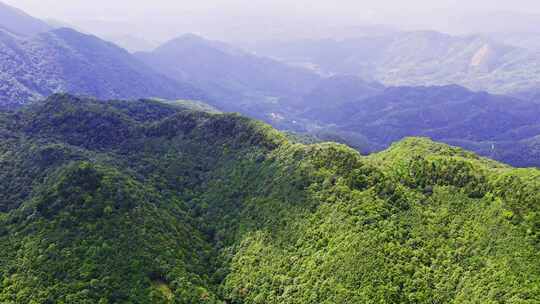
107,238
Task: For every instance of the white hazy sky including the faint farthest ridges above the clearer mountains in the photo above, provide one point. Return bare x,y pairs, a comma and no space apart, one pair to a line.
163,19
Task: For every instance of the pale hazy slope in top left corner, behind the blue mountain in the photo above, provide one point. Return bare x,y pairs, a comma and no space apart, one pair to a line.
17,21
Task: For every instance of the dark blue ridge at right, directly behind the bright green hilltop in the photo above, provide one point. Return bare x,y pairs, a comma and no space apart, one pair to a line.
496,126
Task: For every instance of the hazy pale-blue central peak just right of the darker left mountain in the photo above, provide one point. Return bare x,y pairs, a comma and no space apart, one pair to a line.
240,81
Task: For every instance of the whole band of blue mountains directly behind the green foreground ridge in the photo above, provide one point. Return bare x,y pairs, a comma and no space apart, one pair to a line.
346,108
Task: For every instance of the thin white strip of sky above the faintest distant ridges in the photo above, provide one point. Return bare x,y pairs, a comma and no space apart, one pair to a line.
120,8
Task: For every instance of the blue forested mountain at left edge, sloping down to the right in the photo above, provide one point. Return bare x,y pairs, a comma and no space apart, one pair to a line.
65,60
